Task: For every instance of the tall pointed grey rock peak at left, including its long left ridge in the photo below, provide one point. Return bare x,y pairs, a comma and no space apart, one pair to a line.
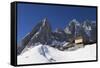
40,33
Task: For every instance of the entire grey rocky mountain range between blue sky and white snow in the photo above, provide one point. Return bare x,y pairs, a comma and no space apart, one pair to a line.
43,34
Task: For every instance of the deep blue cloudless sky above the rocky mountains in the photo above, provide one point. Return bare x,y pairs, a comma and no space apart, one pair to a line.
28,15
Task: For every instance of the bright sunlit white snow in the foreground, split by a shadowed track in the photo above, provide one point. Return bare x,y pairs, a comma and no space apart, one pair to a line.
33,56
